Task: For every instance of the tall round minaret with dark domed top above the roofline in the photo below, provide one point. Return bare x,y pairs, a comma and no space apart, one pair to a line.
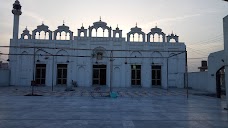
17,12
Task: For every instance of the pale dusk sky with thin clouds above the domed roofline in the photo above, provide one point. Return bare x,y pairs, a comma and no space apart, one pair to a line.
198,23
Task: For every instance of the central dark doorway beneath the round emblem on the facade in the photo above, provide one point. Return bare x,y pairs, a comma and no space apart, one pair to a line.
99,74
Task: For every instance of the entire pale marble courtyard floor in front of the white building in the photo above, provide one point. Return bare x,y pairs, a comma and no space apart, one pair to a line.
89,108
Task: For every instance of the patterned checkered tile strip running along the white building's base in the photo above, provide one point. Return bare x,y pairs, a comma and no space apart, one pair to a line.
85,92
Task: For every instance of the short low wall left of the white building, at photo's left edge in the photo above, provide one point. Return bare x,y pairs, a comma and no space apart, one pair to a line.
4,77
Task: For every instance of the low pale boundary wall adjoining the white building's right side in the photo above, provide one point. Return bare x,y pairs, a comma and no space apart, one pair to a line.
198,80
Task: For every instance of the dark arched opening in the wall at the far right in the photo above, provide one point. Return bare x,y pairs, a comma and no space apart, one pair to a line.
220,82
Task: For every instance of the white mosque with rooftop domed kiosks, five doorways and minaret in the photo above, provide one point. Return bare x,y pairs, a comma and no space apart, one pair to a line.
61,57
